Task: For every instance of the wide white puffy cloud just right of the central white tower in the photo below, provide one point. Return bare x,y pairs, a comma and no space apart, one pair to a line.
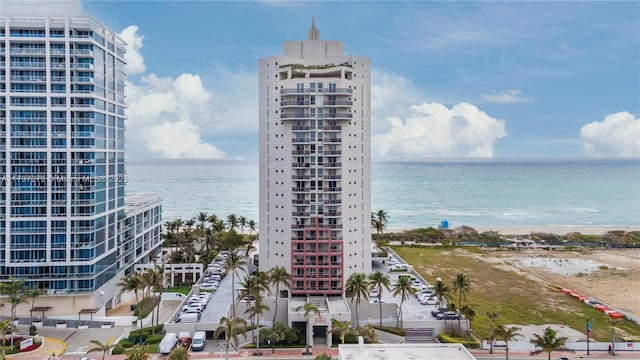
433,130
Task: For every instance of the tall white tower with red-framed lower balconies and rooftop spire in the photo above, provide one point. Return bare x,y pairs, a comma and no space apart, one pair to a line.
315,192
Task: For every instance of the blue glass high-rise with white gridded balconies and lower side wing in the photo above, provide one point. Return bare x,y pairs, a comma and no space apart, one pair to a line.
65,226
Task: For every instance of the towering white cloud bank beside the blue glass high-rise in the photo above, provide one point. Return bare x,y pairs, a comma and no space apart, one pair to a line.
166,116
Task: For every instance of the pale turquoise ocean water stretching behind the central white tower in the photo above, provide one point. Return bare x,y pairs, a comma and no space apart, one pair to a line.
422,193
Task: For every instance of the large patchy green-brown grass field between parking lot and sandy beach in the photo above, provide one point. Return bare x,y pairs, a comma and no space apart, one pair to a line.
516,298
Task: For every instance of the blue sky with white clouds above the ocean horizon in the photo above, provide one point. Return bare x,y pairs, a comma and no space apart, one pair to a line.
450,79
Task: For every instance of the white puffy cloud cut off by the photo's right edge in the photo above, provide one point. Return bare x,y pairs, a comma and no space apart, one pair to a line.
618,135
